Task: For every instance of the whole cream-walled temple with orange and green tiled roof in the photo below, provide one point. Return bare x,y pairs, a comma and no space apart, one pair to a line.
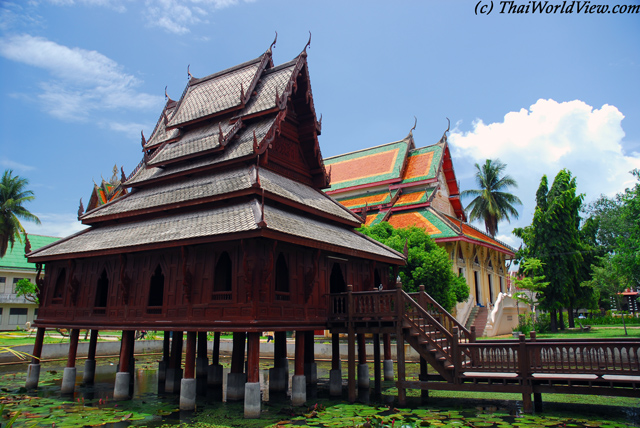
409,186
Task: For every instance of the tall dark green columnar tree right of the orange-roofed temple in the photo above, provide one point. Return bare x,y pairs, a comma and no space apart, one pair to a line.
554,238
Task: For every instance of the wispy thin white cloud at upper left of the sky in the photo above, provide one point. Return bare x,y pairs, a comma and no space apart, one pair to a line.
84,80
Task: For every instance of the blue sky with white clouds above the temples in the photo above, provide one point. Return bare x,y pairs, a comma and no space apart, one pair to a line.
82,78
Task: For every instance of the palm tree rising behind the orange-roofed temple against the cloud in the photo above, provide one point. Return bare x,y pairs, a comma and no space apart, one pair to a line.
492,204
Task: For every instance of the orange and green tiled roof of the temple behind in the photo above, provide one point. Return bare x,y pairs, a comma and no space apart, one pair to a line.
406,186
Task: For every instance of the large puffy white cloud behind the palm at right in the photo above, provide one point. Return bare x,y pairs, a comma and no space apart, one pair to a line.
548,137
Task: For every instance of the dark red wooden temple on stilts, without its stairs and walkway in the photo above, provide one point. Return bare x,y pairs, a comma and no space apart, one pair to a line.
225,228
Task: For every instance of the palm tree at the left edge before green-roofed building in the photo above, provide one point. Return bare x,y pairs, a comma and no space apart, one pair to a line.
13,194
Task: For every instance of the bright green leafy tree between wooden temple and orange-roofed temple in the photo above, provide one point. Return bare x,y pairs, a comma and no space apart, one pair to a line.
427,264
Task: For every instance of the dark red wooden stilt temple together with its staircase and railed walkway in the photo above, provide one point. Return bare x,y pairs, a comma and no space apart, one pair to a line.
224,227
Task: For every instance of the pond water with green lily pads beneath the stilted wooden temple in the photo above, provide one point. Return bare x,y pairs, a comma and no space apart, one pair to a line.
150,407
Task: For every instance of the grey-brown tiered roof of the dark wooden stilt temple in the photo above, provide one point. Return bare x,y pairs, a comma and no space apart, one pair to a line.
236,157
